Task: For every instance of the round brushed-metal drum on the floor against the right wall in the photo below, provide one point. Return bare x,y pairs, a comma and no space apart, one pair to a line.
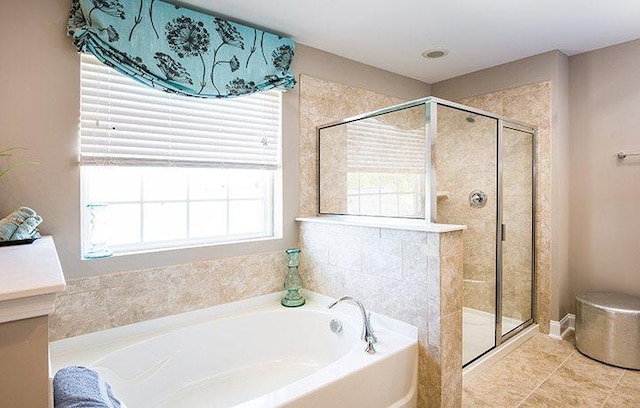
608,328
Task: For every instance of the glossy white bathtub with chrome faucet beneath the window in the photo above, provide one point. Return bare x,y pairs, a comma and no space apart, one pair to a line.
251,354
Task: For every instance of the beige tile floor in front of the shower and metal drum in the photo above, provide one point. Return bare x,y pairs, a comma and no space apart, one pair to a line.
544,372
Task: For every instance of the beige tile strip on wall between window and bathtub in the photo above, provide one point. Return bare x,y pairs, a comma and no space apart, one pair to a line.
106,301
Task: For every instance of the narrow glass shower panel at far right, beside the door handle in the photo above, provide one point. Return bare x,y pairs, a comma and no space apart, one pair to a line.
517,252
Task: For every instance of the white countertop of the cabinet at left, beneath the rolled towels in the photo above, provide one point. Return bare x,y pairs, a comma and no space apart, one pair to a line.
30,277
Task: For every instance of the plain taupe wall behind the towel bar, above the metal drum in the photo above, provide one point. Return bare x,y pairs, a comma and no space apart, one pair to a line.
605,192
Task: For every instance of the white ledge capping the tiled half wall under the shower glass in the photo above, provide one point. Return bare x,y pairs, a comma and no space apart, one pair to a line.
382,222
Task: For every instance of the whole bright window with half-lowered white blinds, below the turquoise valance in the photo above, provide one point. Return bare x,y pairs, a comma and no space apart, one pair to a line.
164,171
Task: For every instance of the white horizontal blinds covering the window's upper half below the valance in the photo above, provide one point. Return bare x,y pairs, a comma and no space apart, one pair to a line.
126,123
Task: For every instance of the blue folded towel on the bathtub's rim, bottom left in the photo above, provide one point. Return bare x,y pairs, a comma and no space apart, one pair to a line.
81,387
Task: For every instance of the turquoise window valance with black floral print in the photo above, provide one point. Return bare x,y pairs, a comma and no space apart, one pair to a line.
181,50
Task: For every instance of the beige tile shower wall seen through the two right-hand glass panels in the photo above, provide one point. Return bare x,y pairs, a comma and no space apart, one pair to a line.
466,160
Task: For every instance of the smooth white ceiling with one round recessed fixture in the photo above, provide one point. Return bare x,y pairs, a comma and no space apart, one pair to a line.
478,33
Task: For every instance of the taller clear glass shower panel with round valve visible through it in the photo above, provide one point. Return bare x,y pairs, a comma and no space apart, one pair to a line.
466,154
